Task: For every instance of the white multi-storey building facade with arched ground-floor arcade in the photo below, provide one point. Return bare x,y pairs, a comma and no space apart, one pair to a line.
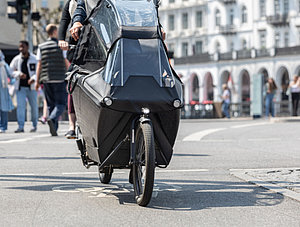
230,41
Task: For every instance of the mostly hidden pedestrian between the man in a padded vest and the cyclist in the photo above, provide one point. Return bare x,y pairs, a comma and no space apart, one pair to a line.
68,10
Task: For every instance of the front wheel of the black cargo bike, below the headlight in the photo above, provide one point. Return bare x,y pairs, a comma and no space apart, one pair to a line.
144,166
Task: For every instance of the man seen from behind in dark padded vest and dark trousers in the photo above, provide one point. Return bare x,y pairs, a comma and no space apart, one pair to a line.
51,68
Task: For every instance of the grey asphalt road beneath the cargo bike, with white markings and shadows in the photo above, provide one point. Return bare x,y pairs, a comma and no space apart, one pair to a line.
43,183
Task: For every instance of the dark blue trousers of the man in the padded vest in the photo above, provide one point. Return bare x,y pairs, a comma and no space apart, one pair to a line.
56,97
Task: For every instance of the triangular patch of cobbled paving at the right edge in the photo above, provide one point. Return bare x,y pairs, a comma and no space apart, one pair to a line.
285,181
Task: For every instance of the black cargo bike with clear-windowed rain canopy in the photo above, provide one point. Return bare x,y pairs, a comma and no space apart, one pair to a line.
127,97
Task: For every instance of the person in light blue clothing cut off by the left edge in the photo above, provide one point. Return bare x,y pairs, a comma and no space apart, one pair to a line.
5,100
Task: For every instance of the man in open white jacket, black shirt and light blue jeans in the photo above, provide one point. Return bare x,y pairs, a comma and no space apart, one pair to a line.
23,67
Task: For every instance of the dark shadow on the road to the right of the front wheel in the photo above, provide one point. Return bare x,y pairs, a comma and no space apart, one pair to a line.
197,195
